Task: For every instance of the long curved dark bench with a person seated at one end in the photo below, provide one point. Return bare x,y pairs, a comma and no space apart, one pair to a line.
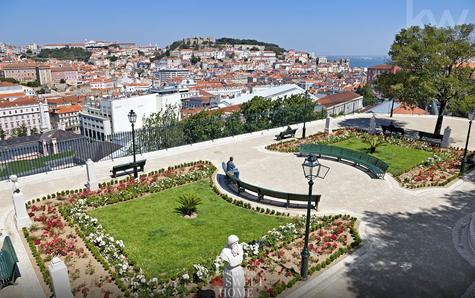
263,193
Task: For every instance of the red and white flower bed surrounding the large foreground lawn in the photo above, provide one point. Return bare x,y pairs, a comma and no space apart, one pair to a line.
99,266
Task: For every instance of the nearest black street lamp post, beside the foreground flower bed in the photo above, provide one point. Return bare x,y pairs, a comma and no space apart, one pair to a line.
312,169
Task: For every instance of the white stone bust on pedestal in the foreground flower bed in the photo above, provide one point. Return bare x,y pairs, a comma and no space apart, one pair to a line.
234,281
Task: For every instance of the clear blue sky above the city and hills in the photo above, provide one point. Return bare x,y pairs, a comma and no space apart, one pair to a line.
345,27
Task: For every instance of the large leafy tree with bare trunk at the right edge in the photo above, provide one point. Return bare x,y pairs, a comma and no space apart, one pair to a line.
432,62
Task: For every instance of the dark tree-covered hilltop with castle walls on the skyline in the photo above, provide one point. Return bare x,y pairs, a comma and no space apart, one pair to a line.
180,44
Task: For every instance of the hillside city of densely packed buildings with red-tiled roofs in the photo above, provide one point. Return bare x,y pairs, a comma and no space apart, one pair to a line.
199,73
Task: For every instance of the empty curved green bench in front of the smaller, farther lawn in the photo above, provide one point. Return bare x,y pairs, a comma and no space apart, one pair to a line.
371,163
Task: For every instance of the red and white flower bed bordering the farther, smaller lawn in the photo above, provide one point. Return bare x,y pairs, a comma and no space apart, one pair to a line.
438,170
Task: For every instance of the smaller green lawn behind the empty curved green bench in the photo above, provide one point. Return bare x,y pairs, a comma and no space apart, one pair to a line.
399,158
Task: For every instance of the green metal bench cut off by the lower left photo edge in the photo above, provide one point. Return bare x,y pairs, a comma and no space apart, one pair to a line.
8,267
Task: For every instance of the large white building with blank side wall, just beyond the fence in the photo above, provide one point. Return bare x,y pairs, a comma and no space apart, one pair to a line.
111,116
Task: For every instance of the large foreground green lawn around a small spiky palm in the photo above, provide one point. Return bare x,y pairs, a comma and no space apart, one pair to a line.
164,243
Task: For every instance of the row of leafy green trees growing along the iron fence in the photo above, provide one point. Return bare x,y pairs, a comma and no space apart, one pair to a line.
164,130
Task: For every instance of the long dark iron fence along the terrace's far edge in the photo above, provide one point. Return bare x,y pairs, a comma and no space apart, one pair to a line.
39,157
